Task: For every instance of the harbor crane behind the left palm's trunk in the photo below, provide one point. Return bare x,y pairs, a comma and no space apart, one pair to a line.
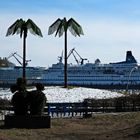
16,55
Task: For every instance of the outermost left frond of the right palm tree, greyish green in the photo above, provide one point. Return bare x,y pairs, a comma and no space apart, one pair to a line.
54,26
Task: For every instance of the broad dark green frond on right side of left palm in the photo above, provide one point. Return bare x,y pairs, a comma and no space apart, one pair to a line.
33,28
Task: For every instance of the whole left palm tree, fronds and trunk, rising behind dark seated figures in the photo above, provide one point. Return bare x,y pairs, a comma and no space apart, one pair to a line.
21,27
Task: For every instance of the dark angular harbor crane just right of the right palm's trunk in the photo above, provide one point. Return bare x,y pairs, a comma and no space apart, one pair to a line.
74,53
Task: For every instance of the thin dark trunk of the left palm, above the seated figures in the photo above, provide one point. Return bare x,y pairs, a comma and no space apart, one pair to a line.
24,56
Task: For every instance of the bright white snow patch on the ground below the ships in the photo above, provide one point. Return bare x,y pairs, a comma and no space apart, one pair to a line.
77,94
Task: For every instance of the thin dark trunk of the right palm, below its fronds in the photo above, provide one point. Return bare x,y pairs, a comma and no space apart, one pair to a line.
65,65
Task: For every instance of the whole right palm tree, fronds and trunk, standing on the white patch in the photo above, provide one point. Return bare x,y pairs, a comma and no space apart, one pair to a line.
61,26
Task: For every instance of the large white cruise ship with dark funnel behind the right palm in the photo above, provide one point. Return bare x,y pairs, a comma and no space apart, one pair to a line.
125,74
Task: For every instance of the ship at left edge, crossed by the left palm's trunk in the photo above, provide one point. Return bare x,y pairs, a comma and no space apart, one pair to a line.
9,72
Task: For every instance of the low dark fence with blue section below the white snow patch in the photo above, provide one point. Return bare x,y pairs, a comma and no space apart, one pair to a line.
89,106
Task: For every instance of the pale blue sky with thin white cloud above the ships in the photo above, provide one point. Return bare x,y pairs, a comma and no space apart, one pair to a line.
111,27
